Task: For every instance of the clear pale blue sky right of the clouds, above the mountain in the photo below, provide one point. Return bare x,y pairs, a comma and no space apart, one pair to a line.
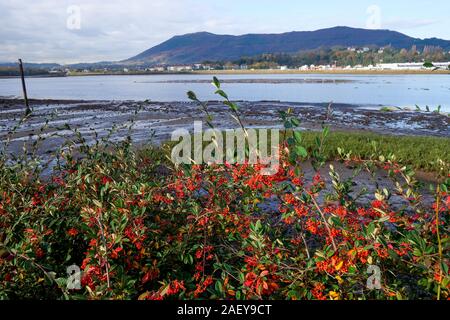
416,18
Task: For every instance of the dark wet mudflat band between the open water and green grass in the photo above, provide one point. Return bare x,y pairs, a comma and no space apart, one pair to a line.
167,116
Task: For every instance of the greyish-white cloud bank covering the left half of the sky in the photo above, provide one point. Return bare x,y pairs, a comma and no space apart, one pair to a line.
110,30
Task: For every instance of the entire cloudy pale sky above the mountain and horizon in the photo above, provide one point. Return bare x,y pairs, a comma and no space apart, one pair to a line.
68,31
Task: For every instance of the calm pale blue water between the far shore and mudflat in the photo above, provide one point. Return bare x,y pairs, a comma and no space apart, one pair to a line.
386,90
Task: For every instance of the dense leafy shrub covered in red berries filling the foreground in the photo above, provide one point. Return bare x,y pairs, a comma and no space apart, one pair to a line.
141,228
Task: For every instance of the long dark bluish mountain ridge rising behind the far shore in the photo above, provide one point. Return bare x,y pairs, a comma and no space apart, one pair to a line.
202,46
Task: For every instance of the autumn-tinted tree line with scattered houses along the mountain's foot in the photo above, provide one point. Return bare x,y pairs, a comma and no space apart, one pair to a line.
341,57
